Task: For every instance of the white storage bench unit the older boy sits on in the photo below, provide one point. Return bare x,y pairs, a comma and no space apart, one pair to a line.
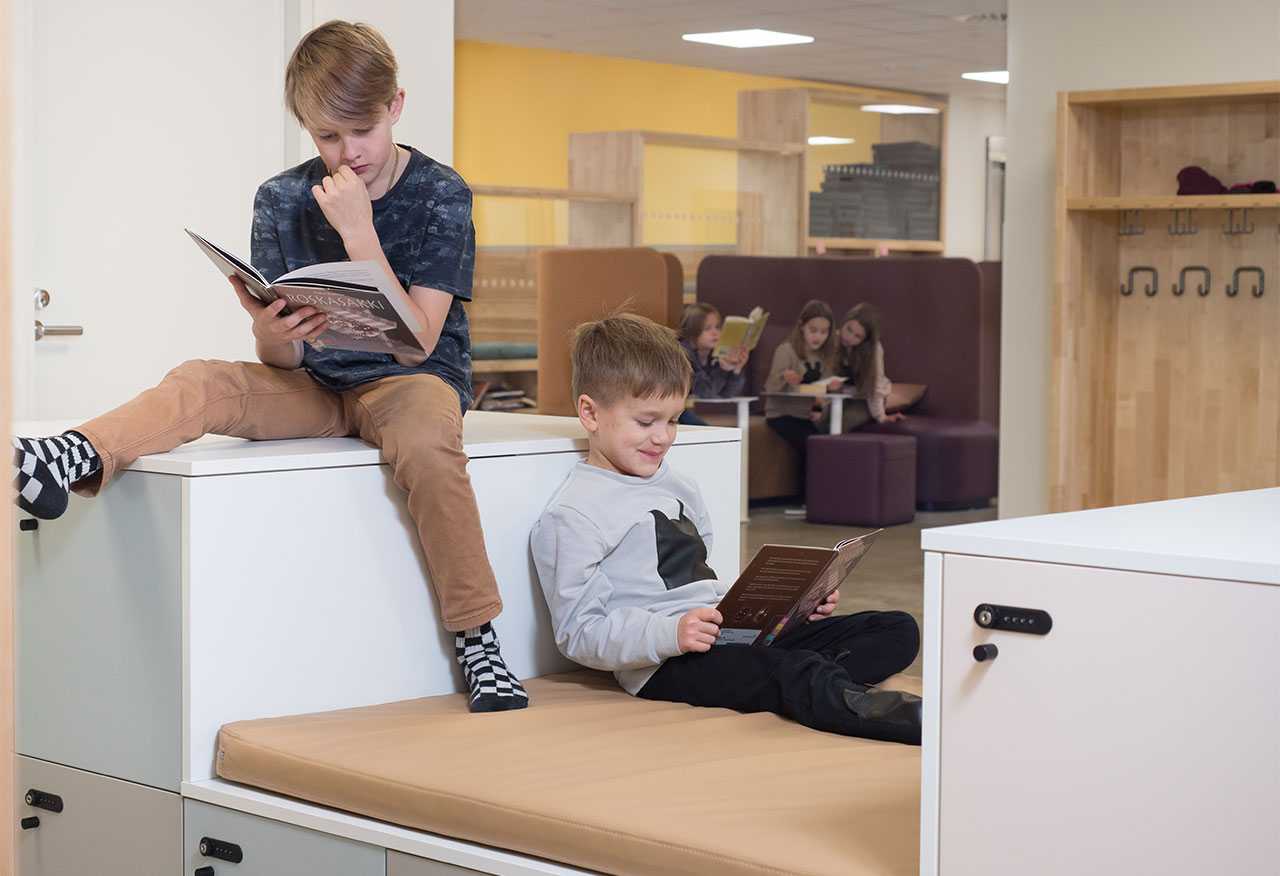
231,581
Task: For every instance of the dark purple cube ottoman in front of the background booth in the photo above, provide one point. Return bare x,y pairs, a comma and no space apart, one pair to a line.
861,480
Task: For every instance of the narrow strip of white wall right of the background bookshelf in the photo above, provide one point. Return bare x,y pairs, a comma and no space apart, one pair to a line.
970,122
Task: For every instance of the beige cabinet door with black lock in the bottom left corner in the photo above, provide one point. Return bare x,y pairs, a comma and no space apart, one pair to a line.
107,827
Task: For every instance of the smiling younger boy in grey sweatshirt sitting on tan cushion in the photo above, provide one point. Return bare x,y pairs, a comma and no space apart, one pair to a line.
621,553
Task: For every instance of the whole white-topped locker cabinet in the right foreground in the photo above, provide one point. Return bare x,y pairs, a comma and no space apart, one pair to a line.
1126,714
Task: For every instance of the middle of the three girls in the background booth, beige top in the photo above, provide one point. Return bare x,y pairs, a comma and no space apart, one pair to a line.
806,363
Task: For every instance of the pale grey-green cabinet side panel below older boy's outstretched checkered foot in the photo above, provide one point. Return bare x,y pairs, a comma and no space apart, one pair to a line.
99,644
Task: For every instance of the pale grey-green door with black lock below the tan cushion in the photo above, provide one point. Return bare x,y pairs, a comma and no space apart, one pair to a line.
271,848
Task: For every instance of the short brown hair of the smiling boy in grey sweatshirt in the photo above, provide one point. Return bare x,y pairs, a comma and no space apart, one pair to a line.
628,355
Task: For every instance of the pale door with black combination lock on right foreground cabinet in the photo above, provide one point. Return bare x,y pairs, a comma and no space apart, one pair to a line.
1141,736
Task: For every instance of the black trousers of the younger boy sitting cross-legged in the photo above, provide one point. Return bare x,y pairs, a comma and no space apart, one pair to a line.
802,676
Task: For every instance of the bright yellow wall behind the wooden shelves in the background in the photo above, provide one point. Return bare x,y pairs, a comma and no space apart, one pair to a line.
515,109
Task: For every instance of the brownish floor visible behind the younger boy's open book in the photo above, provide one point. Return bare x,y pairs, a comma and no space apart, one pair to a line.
890,578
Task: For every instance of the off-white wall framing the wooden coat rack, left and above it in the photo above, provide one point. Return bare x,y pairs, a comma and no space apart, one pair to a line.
1087,44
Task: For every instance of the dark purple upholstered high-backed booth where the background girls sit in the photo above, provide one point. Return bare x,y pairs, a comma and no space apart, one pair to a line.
941,328
